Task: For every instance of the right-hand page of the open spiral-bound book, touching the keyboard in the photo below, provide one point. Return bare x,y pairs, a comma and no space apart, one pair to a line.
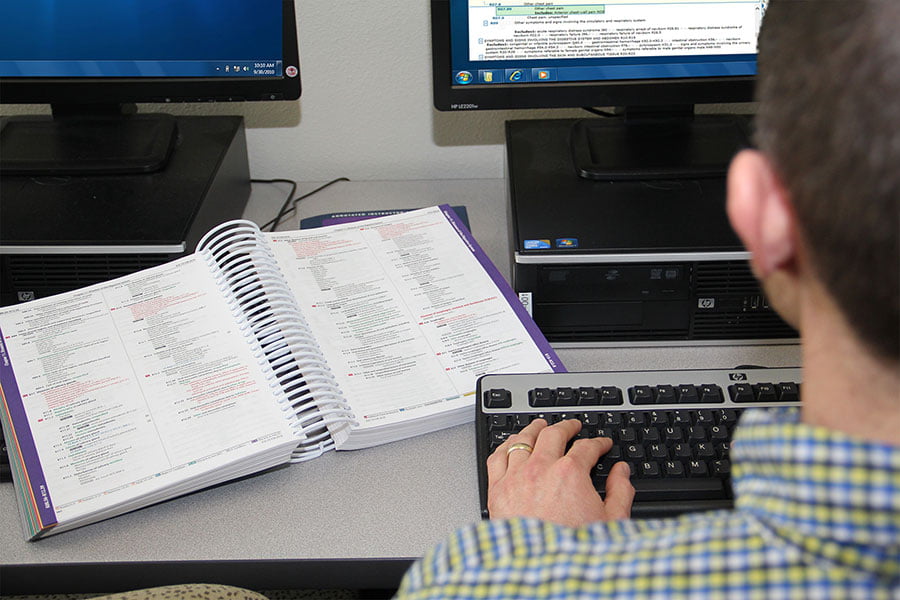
406,315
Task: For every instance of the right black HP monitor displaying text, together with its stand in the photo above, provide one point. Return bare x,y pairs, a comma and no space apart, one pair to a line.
651,59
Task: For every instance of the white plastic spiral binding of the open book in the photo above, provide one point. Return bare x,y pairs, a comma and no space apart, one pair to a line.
269,317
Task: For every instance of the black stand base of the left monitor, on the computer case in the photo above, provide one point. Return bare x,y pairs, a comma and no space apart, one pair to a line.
87,140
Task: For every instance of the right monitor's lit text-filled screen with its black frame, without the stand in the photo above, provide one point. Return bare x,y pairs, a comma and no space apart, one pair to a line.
523,54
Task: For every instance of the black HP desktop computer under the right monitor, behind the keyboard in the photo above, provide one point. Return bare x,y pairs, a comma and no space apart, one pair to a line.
626,262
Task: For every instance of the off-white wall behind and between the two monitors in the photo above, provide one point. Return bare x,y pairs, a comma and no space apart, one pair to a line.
365,111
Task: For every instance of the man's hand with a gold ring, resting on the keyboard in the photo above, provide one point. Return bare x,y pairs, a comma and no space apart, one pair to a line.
552,484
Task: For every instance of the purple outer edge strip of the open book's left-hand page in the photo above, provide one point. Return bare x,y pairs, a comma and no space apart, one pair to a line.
22,443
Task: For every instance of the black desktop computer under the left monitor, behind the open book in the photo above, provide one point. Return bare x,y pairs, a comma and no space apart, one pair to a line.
62,233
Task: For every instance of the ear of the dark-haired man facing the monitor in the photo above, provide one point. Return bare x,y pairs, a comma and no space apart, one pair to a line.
761,214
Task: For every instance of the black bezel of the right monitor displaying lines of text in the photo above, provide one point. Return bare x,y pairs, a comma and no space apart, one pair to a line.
654,92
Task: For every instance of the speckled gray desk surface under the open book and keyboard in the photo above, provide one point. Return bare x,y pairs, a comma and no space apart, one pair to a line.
347,519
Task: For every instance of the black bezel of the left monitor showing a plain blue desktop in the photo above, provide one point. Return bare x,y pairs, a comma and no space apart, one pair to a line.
60,91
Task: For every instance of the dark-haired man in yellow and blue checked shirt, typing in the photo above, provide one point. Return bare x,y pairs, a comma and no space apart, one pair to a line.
817,494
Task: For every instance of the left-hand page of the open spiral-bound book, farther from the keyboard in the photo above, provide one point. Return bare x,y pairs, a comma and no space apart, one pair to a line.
128,387
